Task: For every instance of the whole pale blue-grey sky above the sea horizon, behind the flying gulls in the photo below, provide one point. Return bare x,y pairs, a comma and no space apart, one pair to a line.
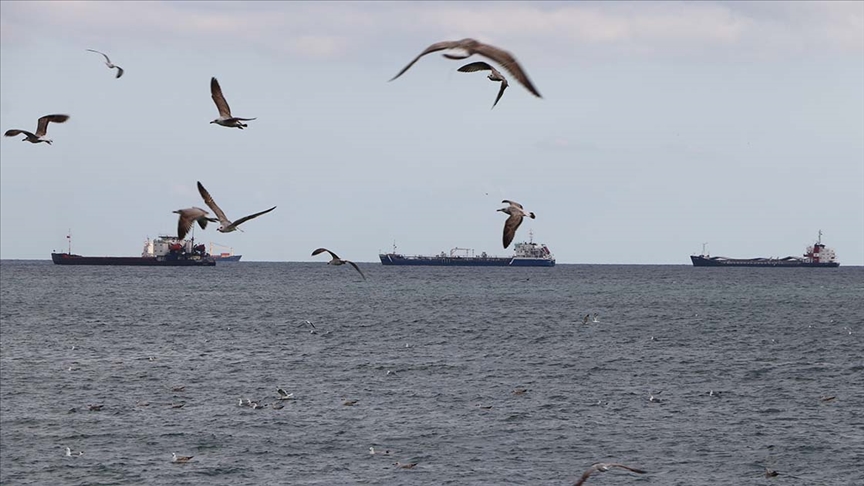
662,126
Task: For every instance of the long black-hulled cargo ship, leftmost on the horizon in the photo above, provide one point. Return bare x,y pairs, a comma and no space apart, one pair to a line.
165,251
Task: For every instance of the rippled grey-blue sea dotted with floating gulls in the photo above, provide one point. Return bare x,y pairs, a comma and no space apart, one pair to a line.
479,376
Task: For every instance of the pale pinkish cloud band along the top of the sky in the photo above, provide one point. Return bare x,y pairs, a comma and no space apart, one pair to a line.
341,29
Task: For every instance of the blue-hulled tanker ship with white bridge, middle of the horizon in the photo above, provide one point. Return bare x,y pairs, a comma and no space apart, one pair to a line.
525,254
